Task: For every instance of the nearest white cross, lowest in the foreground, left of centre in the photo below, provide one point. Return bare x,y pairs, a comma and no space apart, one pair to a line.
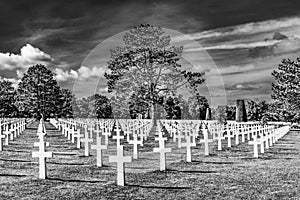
120,159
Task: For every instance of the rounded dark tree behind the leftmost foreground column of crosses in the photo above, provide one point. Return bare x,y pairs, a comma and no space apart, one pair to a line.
38,92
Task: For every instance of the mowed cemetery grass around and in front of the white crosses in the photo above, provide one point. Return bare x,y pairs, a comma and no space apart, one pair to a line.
228,174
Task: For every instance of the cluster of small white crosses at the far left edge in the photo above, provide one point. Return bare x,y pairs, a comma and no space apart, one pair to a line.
10,129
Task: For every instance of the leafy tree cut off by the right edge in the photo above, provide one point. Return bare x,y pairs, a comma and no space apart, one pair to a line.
286,89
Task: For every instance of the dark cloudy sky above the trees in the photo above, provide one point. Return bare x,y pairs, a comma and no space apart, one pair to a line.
244,39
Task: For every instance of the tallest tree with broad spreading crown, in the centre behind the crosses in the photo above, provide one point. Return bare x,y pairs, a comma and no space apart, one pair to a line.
148,62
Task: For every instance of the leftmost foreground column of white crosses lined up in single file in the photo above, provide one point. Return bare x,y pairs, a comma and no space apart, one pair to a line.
42,154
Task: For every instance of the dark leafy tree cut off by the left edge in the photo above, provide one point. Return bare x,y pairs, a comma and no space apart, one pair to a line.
7,99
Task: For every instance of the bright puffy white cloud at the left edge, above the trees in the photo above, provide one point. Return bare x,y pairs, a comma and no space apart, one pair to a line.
28,56
